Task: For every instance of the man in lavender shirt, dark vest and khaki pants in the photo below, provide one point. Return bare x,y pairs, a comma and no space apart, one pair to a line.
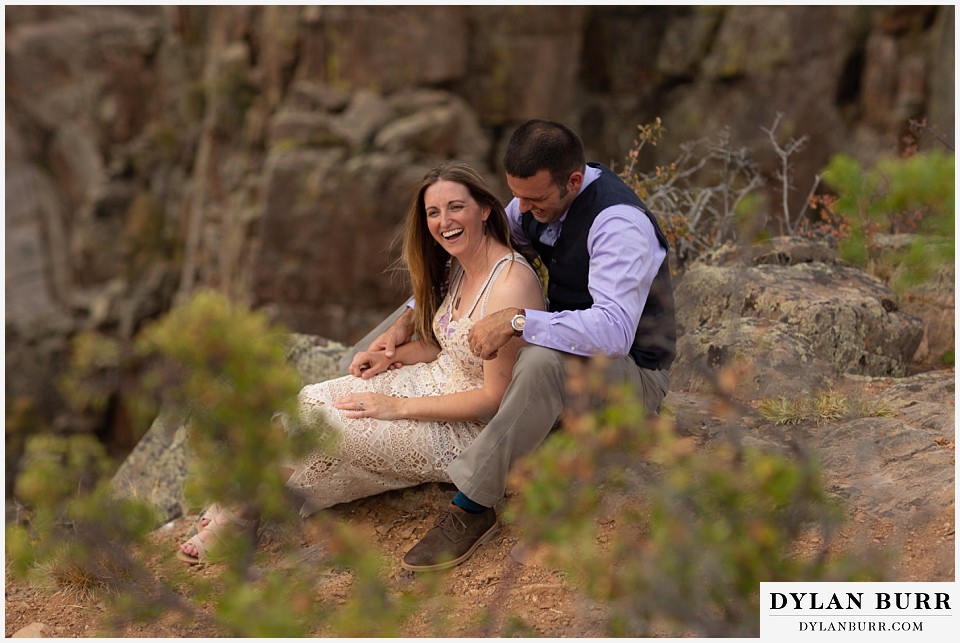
609,294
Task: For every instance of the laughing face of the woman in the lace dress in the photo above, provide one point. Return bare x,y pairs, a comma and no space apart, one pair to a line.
454,218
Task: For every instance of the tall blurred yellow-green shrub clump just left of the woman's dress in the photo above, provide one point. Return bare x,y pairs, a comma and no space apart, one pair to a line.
227,368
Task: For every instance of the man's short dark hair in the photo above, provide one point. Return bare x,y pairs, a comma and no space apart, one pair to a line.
544,145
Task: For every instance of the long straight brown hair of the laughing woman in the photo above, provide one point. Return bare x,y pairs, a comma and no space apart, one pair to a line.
425,260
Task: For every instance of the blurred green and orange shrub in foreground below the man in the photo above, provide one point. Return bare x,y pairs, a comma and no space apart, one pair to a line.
697,529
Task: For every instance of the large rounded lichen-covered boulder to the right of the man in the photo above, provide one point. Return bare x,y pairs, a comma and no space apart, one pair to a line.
795,323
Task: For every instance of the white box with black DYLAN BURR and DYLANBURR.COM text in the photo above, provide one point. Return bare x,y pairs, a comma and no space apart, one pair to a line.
861,611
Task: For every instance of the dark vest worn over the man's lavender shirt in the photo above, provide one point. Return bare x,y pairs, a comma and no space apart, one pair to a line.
567,263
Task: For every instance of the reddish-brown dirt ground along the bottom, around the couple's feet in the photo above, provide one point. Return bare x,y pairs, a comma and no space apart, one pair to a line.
527,597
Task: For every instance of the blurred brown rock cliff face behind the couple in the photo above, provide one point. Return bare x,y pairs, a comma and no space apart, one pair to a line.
271,151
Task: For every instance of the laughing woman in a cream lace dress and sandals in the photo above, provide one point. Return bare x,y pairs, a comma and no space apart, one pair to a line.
403,426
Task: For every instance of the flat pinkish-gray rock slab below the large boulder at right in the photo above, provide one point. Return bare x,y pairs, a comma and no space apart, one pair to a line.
892,474
